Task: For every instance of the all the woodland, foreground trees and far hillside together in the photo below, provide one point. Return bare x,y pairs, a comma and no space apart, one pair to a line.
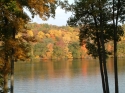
93,30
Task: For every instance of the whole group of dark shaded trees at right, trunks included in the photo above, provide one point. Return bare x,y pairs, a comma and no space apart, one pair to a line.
98,21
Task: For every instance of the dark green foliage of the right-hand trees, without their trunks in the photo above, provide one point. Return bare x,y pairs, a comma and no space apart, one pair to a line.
88,18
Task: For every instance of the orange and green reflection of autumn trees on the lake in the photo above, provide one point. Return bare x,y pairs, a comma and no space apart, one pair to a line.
63,68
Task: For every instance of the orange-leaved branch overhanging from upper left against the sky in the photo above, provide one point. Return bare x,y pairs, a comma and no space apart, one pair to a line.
44,8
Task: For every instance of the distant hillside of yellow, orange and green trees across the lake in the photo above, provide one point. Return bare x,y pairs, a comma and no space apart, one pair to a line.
54,42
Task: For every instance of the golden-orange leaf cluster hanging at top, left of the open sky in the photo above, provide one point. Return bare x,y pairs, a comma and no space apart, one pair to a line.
41,7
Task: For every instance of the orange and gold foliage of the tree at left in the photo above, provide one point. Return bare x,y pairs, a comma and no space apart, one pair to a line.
12,21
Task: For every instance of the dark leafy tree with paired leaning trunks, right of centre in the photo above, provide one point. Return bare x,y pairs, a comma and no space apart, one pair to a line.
93,17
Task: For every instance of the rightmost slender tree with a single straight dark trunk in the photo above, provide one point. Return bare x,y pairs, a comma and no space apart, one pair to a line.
118,11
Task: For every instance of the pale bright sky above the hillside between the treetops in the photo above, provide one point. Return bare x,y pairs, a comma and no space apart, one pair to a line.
60,19
